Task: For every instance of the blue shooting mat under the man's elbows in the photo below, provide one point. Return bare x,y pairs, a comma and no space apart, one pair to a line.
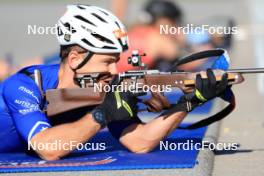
112,156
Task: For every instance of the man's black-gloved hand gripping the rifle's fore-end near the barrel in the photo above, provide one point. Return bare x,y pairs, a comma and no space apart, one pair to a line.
205,90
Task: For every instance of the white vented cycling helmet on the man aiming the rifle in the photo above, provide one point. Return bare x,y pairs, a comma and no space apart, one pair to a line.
93,28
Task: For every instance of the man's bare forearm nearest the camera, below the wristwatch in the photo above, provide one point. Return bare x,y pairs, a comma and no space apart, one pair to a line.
67,135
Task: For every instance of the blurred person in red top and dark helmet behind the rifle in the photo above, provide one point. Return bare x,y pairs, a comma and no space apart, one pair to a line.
145,36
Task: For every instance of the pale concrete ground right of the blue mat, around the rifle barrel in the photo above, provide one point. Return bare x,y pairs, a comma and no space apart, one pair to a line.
244,126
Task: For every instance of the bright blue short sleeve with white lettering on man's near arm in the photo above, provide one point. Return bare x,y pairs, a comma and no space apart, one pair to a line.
24,103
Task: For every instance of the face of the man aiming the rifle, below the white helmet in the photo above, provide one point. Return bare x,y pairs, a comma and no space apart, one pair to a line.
101,63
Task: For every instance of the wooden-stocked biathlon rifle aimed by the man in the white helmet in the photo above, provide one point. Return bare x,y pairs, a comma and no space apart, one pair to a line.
63,100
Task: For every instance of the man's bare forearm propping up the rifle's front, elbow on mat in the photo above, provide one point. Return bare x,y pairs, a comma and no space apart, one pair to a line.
141,138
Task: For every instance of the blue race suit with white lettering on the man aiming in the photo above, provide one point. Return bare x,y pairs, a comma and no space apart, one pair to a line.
21,105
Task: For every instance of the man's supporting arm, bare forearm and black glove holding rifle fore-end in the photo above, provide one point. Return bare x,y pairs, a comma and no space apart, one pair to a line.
142,138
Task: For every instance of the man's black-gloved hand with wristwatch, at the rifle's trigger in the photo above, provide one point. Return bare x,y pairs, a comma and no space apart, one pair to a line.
116,106
